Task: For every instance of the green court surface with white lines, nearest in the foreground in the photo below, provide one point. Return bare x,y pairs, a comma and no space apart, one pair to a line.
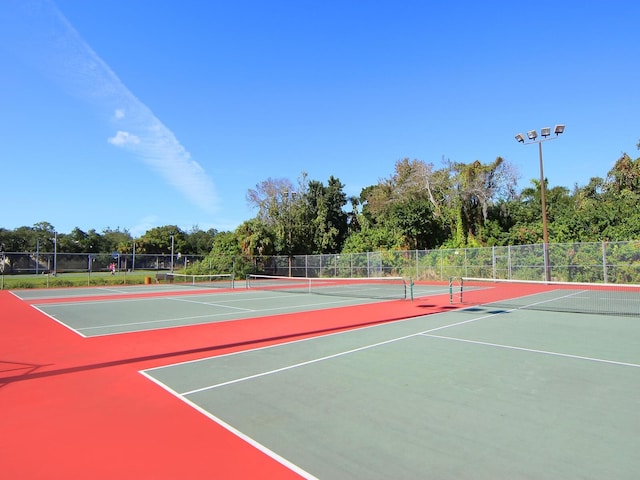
477,393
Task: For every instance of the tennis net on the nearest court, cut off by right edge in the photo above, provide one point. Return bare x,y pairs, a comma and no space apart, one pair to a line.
603,299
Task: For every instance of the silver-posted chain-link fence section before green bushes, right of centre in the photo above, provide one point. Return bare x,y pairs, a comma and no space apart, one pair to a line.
599,262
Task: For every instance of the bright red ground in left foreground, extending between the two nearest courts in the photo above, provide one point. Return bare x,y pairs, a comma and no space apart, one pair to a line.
77,408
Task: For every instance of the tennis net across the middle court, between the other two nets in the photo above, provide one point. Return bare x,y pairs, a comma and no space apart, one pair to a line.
373,288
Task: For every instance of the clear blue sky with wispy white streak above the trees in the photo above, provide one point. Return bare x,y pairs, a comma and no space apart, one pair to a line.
134,114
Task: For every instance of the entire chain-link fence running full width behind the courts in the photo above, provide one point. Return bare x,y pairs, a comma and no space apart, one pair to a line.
598,262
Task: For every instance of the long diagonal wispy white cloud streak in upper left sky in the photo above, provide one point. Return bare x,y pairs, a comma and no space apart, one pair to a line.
43,37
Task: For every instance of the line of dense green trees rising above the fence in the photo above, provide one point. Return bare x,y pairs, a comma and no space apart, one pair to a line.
418,206
